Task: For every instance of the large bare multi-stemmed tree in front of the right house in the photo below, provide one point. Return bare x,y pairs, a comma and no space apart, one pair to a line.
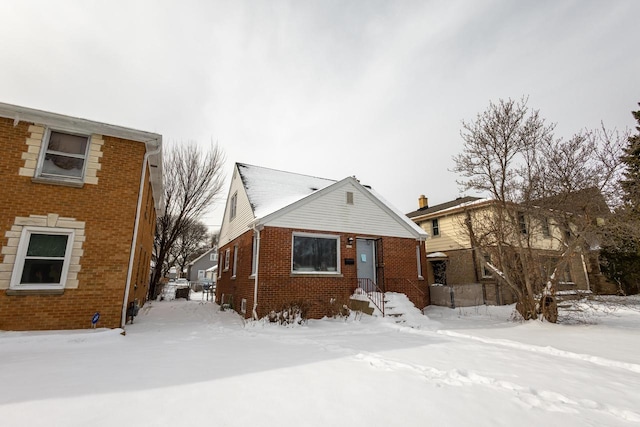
534,181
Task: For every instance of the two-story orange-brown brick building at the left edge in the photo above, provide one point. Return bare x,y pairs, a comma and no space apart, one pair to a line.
77,219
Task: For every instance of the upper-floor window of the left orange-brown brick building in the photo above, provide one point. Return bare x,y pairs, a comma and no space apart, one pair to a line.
64,156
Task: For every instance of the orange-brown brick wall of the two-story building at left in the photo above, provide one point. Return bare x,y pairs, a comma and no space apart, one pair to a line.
108,209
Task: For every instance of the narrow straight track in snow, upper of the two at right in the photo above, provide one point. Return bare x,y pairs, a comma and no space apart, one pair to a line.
596,360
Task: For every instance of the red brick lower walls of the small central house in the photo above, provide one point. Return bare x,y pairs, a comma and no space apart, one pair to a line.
277,287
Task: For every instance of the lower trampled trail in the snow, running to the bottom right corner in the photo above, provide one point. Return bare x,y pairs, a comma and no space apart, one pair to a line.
542,399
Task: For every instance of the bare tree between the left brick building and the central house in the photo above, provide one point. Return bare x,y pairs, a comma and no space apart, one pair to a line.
192,182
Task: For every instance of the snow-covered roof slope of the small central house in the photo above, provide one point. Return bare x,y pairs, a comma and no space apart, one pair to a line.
270,190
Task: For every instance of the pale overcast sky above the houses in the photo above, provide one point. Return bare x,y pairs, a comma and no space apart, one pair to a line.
375,89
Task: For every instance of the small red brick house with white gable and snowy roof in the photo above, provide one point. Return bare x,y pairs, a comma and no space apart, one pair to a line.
295,239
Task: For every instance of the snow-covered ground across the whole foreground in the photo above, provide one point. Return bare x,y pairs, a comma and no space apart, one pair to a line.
187,363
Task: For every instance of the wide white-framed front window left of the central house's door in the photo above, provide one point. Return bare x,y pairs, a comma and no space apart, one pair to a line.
315,253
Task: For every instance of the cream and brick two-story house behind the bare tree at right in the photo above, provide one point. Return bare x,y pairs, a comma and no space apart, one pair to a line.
454,265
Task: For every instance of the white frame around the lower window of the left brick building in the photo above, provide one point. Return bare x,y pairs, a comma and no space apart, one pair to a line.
18,267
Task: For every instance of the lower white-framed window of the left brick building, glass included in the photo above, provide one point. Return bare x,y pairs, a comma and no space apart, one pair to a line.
42,258
